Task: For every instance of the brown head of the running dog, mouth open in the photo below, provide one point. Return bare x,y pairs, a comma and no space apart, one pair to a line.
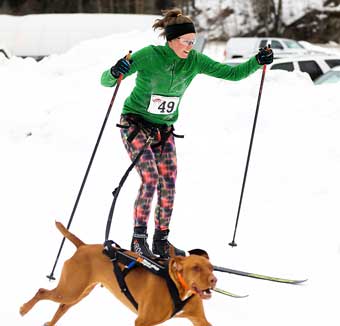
194,274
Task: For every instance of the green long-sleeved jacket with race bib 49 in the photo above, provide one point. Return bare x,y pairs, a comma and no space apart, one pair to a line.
163,77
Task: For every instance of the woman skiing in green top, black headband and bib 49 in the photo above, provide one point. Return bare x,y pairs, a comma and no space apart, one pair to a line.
163,75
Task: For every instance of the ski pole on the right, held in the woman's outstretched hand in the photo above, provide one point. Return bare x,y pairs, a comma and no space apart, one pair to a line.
233,243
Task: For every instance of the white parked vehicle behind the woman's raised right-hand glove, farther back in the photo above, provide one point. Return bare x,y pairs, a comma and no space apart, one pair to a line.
245,47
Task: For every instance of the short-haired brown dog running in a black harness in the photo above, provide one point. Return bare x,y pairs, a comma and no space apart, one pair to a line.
89,266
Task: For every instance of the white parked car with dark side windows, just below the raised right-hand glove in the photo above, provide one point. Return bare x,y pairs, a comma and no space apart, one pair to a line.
315,66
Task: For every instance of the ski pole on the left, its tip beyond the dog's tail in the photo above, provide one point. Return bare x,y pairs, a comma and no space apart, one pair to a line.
51,277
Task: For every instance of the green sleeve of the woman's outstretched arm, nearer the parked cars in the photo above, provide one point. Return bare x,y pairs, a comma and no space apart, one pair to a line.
216,69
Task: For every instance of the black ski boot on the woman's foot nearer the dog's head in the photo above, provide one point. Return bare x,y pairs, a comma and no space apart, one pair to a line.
162,247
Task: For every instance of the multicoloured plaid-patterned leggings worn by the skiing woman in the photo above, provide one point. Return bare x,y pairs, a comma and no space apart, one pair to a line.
158,170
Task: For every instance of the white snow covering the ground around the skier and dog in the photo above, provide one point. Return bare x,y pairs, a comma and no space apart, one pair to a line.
50,116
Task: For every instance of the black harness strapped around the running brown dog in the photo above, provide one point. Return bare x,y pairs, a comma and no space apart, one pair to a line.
118,255
